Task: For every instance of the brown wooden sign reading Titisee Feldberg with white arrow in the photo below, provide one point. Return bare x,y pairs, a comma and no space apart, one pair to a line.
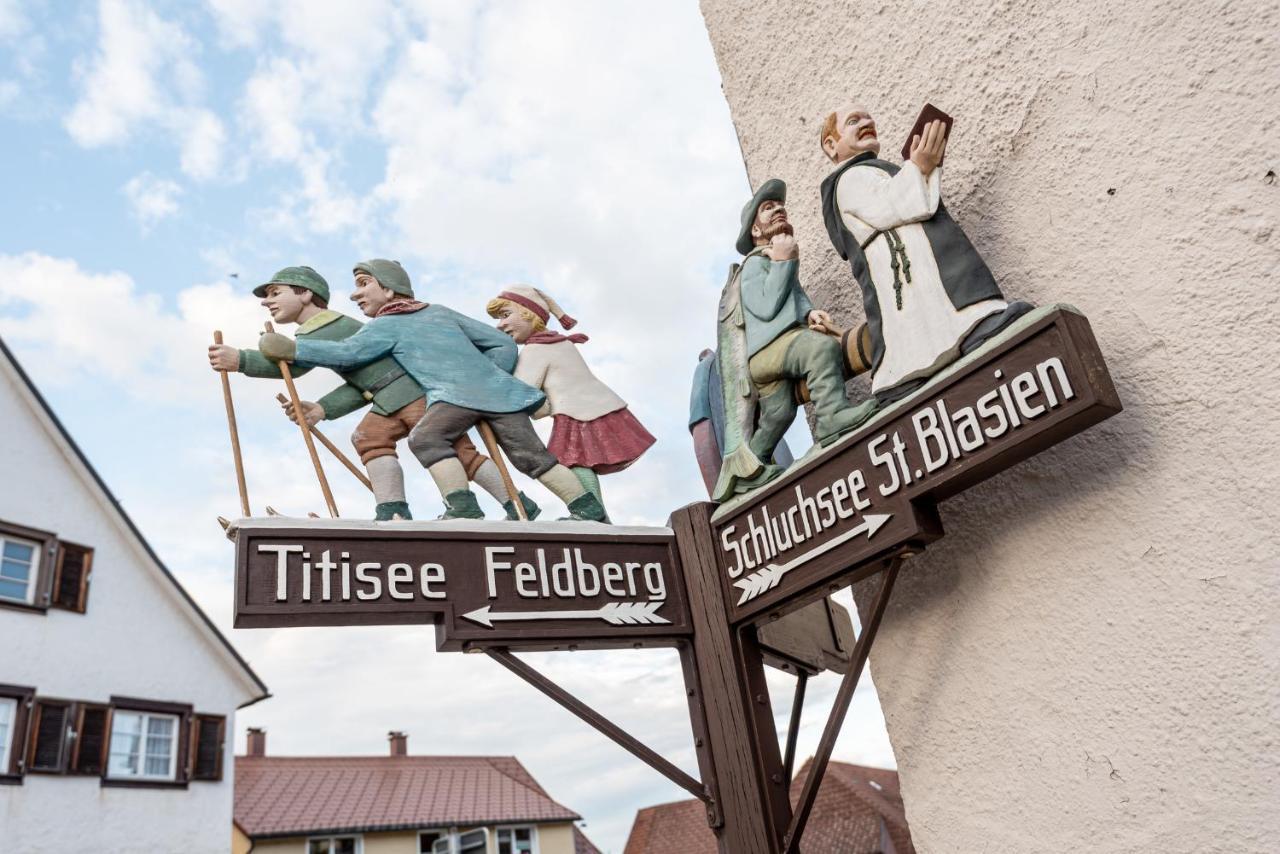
483,586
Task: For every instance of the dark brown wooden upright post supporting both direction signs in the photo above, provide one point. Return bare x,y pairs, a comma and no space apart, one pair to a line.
743,765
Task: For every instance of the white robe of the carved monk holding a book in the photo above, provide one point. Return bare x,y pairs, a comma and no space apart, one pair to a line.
927,332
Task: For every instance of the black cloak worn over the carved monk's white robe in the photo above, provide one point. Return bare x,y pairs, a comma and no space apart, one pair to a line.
964,275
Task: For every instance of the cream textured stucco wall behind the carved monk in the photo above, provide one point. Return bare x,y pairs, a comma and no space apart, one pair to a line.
1089,660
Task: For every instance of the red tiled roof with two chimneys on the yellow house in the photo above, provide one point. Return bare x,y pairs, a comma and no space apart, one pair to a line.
290,796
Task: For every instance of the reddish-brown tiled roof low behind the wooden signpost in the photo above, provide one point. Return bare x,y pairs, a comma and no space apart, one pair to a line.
845,820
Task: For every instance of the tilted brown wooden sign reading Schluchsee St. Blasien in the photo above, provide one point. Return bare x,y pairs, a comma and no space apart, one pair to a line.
830,520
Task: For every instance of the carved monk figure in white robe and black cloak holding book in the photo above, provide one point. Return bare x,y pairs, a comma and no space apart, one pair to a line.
927,293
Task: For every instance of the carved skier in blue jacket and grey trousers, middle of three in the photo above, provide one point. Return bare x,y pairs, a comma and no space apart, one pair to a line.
464,368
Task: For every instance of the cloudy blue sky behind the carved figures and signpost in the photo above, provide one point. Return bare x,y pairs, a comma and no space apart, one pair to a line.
161,159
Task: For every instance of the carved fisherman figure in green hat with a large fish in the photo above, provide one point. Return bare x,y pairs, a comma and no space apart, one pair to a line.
771,337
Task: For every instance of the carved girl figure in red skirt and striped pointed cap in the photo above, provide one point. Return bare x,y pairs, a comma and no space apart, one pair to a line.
595,433
